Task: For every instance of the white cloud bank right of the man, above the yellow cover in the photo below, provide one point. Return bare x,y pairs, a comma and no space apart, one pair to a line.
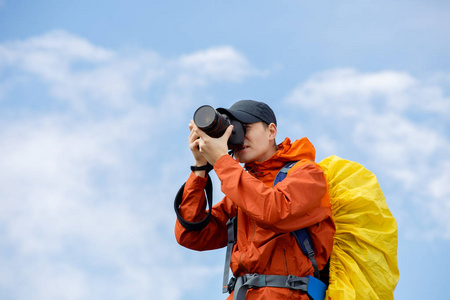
396,120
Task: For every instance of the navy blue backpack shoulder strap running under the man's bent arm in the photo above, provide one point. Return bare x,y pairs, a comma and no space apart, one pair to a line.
301,235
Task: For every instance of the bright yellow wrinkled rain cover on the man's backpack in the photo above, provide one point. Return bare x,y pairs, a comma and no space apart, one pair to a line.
363,263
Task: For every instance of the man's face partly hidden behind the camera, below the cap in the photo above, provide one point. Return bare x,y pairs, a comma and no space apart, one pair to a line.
258,143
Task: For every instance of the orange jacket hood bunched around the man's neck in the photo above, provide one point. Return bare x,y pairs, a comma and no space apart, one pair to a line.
287,151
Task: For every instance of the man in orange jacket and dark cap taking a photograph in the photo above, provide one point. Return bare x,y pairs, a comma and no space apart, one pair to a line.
266,214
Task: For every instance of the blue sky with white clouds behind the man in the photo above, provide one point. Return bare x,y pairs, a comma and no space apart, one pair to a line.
95,99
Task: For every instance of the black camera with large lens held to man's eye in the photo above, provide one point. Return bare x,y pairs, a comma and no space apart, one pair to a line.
215,124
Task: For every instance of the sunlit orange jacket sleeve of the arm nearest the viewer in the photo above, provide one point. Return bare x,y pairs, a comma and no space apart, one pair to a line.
294,203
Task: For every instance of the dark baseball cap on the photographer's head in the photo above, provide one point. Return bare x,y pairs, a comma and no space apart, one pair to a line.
250,111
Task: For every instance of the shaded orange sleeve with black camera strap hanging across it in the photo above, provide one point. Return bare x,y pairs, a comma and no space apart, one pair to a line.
193,209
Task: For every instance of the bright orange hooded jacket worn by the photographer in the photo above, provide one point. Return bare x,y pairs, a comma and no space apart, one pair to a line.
266,215
